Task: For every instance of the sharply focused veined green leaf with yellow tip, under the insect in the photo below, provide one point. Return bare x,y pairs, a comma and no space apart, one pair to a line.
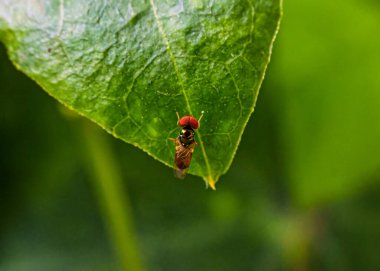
130,65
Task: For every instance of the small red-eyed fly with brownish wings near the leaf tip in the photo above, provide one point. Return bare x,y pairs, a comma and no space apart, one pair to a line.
185,144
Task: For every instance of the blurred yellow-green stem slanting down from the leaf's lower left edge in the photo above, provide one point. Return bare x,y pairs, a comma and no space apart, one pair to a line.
112,196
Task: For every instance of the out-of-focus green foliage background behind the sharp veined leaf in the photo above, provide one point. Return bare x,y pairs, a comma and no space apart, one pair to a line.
303,192
